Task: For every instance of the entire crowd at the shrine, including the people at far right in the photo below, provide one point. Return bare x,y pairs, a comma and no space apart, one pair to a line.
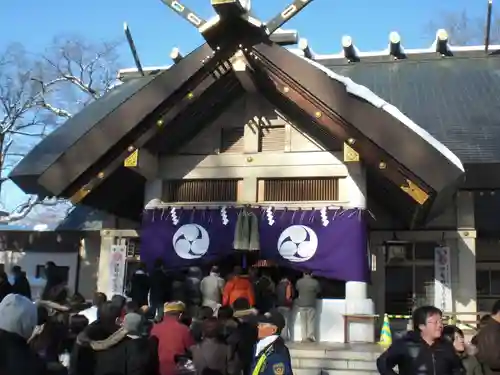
196,325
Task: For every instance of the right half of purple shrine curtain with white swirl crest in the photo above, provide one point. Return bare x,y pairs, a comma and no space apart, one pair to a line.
329,243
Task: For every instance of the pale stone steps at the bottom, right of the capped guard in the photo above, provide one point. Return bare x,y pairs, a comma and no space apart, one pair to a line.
334,359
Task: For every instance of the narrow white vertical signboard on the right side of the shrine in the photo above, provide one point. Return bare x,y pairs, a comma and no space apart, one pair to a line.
442,279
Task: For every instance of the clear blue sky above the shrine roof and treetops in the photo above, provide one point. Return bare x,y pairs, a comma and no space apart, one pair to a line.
156,30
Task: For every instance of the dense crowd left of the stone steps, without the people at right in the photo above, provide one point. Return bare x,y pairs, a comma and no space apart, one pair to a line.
168,325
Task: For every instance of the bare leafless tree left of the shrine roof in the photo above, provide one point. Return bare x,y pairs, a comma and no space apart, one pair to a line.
38,94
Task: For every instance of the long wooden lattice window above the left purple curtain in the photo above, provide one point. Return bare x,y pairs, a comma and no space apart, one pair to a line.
213,190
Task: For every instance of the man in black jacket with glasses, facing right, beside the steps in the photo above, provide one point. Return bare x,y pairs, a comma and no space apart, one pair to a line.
422,351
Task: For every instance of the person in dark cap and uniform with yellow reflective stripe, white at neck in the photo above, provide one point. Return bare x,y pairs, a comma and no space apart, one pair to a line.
271,354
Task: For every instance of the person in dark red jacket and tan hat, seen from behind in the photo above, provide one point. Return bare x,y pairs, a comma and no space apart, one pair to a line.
174,337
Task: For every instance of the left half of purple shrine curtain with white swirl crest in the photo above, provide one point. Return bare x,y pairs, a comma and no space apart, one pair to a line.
184,238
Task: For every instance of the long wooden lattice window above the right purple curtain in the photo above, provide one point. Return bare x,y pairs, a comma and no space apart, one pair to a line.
298,189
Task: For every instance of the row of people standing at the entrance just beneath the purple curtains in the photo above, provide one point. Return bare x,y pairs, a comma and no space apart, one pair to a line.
212,291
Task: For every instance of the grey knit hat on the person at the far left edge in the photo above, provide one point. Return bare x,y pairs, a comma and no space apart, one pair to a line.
18,315
